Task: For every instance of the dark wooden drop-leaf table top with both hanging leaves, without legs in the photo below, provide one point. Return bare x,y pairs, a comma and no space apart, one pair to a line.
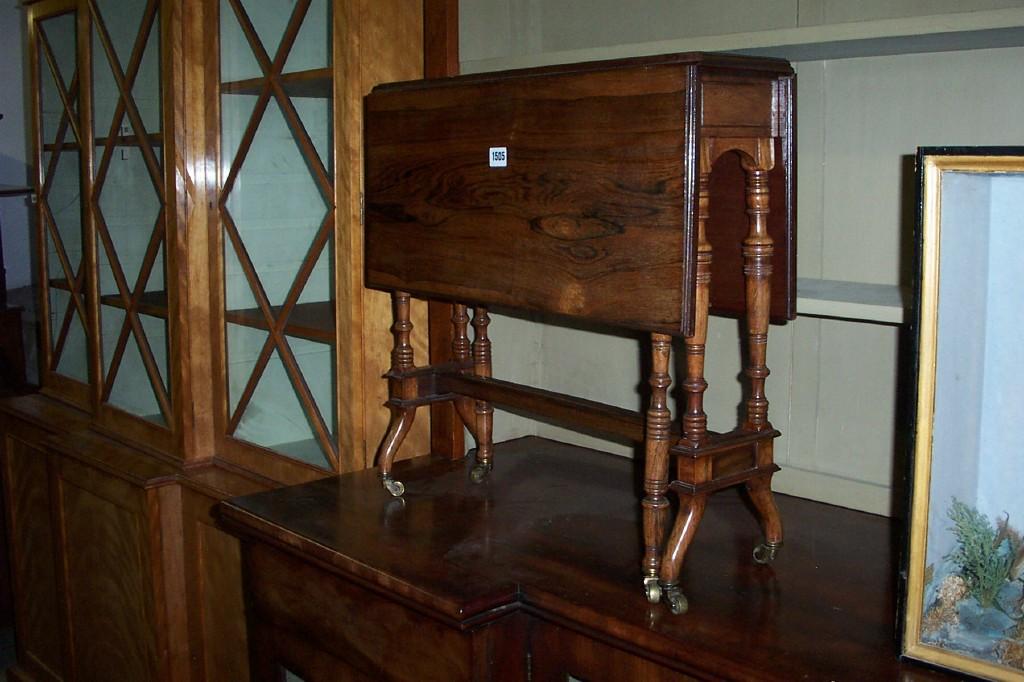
591,209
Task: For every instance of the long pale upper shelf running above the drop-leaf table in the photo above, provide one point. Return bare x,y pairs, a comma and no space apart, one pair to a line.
934,33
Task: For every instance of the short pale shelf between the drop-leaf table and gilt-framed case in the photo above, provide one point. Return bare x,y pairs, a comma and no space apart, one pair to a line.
851,301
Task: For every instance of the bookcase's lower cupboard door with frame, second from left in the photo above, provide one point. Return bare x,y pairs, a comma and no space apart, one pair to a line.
121,583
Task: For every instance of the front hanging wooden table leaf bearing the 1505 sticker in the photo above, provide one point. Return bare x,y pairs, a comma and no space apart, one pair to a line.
587,214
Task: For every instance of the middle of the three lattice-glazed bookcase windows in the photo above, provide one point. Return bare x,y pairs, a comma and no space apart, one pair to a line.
129,202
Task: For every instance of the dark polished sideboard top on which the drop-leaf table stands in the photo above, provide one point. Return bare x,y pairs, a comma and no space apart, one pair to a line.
554,534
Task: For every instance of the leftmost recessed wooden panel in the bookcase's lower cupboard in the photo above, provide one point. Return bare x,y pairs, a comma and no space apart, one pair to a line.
33,562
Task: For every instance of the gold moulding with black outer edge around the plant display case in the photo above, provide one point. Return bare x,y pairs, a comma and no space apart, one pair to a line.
933,163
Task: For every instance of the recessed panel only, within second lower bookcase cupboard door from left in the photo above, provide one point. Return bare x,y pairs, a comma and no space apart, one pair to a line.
111,617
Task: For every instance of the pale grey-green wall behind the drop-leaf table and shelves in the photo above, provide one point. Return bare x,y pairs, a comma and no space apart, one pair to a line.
834,383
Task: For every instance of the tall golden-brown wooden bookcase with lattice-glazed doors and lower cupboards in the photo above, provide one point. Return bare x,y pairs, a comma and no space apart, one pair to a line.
203,320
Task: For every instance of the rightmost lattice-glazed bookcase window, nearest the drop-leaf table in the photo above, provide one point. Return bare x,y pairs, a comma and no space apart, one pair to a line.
276,207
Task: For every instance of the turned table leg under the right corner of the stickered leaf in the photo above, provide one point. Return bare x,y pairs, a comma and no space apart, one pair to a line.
656,481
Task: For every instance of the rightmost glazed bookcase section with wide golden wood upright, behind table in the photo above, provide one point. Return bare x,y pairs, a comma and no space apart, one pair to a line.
305,345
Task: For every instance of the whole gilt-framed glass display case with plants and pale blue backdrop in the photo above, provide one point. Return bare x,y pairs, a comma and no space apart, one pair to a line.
965,569
